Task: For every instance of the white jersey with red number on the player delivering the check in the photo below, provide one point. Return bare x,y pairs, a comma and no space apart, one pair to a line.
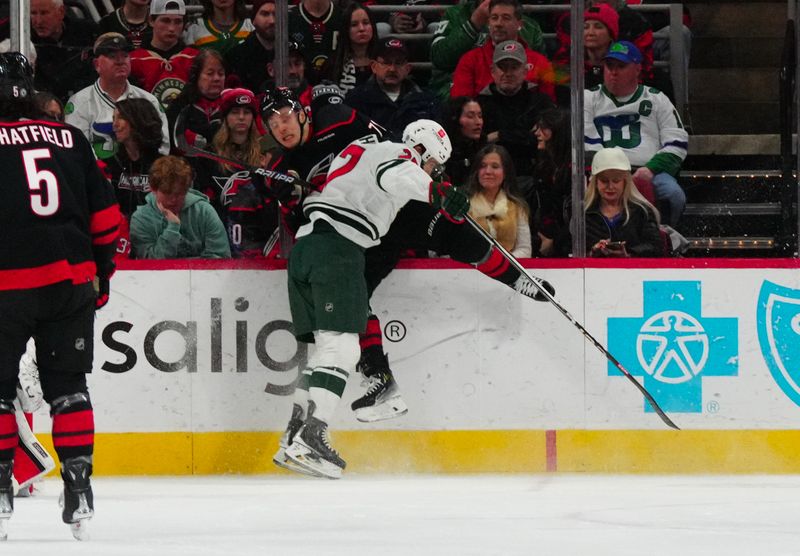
368,184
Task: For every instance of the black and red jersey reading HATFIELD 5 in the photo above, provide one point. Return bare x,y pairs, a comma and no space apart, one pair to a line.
59,217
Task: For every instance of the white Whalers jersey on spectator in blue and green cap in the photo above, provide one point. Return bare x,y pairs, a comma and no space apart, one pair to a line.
646,126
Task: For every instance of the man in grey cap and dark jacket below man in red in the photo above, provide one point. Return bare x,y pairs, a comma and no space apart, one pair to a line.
511,106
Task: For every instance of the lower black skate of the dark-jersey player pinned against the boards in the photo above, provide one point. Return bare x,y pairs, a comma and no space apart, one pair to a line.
382,400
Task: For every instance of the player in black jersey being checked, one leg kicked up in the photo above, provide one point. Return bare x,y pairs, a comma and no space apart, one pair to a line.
308,152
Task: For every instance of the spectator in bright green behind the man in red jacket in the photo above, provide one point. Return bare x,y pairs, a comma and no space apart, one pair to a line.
462,29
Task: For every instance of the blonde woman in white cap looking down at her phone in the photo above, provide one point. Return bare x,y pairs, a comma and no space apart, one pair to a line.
619,221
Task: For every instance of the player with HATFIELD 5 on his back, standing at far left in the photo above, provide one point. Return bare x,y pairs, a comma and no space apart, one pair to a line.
59,223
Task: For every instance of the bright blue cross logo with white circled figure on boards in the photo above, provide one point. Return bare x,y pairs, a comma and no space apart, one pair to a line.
673,346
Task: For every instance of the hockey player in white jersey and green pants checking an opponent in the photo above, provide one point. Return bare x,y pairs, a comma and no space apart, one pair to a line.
368,183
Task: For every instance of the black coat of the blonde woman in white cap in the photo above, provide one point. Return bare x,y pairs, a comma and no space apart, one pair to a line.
641,234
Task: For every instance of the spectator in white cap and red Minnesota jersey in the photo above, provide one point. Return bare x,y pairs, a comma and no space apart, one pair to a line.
161,66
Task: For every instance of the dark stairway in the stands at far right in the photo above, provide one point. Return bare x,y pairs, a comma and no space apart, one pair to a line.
738,203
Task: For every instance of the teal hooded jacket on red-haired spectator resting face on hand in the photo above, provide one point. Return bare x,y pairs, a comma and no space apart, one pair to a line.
200,233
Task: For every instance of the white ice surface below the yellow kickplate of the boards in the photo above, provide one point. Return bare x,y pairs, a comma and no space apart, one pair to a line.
437,515
